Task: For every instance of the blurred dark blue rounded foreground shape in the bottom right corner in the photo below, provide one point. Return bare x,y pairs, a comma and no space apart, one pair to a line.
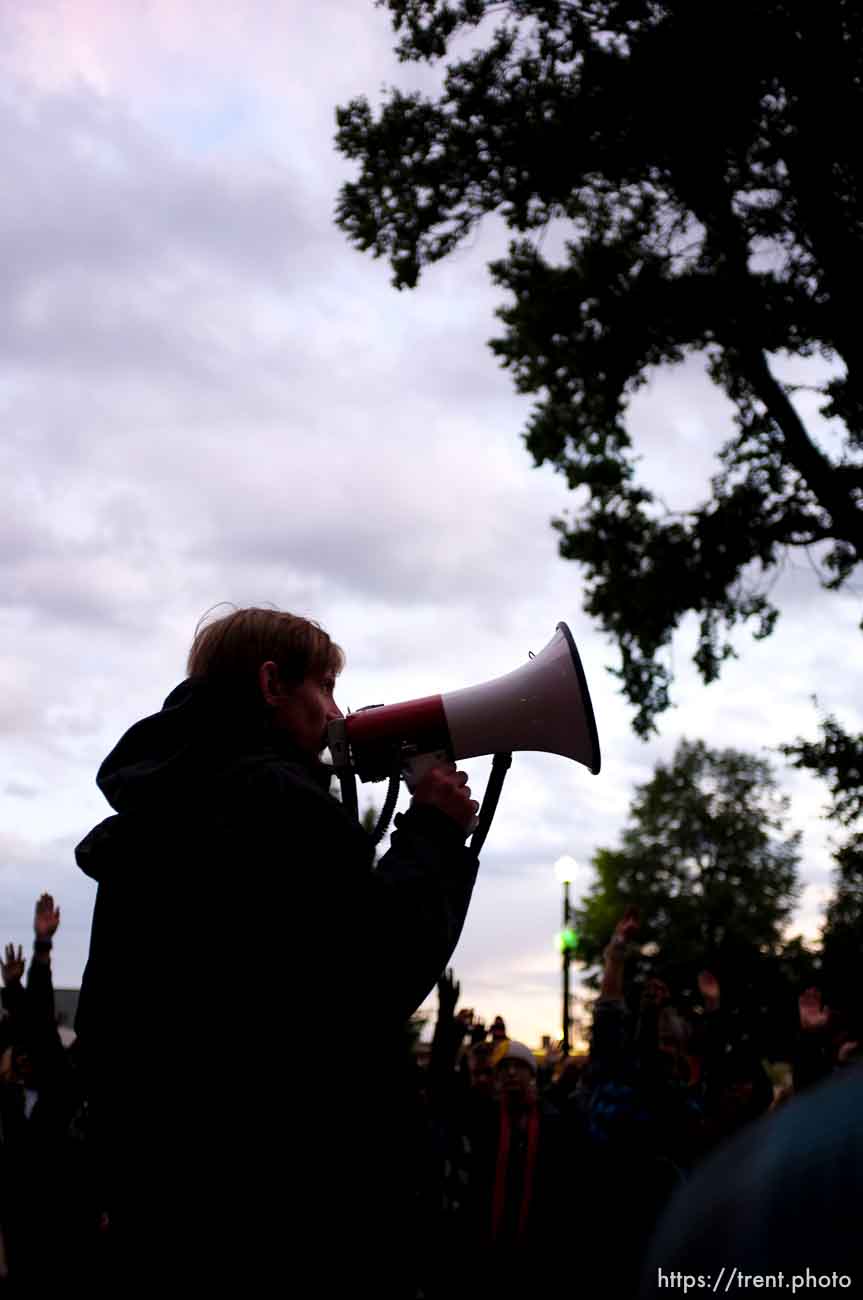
784,1198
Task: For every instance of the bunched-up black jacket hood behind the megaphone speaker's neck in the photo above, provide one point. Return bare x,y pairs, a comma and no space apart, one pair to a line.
174,760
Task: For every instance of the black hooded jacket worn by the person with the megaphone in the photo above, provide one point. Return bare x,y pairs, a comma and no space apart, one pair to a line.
250,968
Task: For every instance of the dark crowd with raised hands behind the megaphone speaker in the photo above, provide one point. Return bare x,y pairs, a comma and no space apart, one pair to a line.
513,1159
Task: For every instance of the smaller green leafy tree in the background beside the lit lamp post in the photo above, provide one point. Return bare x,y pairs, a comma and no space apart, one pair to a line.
708,860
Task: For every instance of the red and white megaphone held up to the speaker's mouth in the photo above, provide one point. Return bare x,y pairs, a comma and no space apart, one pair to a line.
544,705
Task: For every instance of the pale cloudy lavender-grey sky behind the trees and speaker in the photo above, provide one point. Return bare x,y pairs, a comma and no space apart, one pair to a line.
209,396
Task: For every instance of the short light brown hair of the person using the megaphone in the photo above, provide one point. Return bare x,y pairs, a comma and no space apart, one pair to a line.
235,647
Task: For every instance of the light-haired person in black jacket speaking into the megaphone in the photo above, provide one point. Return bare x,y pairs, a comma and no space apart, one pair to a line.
238,915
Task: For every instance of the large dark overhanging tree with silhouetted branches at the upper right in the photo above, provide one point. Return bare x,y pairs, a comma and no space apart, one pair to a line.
710,180
